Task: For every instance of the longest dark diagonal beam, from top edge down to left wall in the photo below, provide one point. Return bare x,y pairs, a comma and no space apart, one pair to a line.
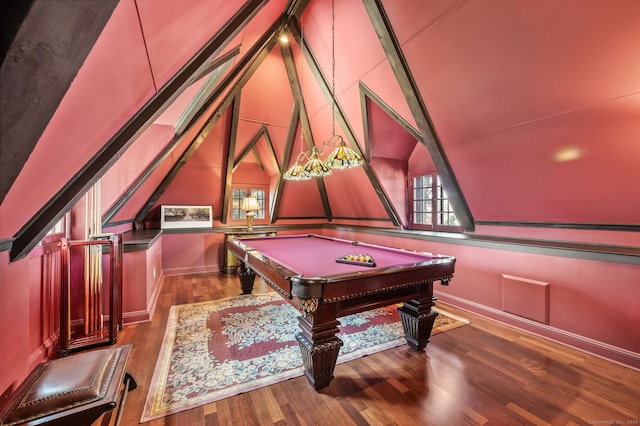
33,231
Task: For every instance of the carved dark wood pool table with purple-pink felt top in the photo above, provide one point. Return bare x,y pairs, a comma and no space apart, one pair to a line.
324,279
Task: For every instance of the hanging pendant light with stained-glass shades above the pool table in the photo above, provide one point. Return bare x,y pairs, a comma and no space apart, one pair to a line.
342,156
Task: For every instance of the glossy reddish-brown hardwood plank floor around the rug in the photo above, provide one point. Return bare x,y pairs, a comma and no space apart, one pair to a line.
481,374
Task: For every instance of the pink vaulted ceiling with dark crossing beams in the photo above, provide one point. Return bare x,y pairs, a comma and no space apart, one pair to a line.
529,111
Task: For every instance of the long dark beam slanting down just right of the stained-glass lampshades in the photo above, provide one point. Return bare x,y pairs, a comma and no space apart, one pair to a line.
350,135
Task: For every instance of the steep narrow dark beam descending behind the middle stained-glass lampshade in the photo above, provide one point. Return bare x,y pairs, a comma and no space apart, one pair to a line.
296,89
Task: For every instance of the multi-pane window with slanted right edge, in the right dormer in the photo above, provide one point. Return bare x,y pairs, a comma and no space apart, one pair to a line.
431,207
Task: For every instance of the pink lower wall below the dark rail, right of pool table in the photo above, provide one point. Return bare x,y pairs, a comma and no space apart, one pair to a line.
593,305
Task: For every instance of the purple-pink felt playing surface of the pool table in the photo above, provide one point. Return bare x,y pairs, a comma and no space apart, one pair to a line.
312,256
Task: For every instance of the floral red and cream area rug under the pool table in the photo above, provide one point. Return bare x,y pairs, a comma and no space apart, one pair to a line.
214,350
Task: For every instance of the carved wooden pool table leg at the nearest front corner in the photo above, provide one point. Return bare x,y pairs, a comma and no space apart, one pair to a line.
319,347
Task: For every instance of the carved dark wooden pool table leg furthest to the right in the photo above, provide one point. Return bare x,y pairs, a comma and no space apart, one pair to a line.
418,318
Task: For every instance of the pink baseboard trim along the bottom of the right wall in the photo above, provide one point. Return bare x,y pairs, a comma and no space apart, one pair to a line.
603,350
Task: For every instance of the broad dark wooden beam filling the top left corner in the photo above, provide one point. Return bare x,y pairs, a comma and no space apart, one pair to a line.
44,44
